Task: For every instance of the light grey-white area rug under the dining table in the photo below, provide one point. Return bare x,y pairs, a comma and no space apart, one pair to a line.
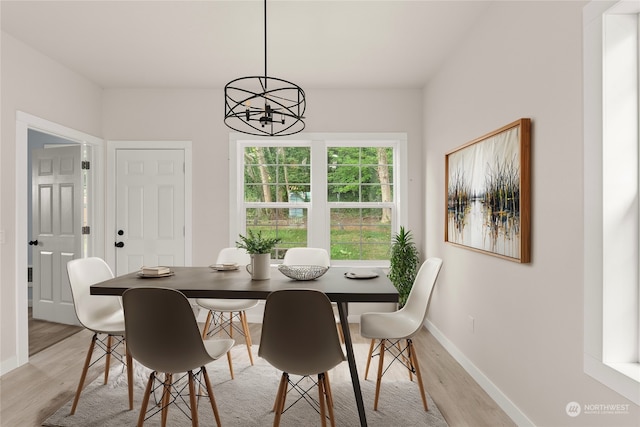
247,400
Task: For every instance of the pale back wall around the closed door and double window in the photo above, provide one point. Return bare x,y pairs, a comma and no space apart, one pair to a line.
197,116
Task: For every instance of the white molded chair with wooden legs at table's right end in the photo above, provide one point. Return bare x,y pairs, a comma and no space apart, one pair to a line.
391,329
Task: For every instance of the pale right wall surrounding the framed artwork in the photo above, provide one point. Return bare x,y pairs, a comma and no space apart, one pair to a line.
523,59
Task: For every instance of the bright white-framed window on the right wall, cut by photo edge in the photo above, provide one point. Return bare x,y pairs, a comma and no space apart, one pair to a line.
611,241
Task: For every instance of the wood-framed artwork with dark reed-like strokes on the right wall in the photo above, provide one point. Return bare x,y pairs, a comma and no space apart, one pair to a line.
488,192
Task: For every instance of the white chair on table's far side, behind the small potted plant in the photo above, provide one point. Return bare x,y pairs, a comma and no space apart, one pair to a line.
232,309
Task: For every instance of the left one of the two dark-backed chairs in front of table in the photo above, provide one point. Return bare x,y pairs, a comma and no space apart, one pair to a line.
163,335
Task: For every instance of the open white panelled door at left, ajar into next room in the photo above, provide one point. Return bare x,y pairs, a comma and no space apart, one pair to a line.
57,221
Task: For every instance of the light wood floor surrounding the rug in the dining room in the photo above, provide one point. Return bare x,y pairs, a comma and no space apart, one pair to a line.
31,393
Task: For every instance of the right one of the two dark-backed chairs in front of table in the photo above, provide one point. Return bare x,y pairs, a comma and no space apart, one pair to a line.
299,337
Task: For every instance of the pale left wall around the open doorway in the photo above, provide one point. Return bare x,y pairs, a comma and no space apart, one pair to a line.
36,85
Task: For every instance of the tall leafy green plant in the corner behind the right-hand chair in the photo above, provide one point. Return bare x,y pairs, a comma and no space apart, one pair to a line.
404,263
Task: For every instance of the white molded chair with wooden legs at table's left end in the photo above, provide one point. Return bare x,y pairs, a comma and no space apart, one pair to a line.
103,315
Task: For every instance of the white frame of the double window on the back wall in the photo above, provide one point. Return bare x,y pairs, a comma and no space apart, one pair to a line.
318,215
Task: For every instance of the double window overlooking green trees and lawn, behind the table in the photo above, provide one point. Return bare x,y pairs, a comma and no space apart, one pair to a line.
342,193
